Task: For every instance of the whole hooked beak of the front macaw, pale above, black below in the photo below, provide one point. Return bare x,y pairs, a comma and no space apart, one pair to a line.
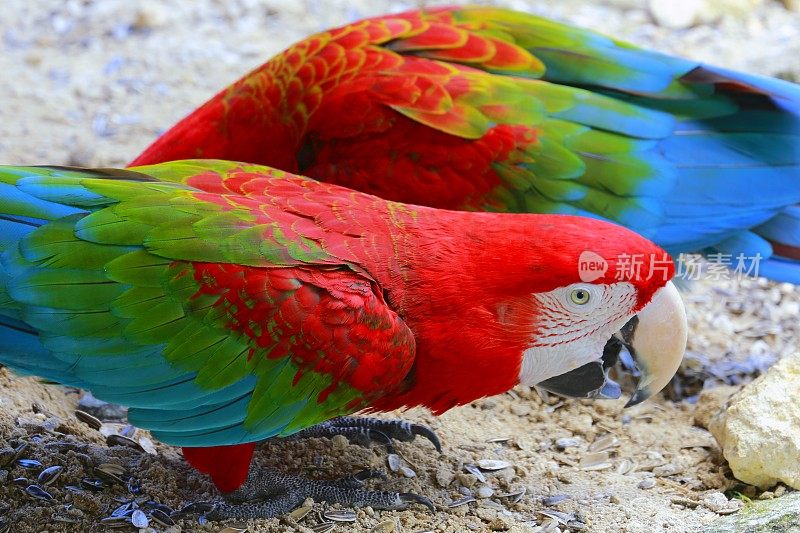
655,338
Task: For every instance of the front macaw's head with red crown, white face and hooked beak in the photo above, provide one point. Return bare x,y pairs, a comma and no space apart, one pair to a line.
607,287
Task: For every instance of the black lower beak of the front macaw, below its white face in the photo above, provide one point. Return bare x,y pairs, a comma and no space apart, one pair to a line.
590,380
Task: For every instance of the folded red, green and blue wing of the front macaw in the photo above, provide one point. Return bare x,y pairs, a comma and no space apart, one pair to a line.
159,295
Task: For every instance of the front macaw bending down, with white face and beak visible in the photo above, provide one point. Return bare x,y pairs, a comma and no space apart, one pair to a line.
227,303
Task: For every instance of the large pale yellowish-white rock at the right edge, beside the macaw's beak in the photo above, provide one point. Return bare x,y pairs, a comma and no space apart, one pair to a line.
758,432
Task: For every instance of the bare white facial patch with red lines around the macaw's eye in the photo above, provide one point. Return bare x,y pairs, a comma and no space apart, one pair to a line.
573,329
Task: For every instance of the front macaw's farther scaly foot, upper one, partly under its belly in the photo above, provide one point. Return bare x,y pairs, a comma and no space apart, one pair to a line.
363,430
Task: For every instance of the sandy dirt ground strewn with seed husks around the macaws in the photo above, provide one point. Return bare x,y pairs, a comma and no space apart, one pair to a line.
92,82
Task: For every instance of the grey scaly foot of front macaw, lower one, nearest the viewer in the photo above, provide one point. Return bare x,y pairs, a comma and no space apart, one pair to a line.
268,493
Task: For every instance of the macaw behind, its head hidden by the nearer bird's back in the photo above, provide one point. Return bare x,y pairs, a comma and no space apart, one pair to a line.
481,108
